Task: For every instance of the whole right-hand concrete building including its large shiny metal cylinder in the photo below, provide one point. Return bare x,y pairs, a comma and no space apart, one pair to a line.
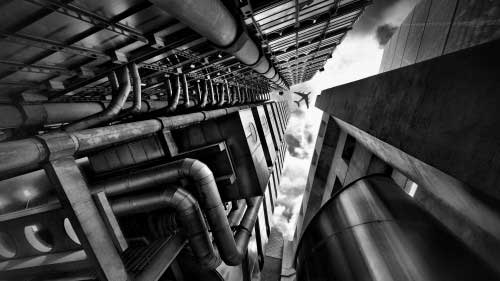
402,184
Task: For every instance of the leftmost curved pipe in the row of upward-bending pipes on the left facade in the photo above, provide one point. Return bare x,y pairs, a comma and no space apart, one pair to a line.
110,112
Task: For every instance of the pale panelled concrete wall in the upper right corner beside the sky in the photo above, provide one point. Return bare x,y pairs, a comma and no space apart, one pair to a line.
438,27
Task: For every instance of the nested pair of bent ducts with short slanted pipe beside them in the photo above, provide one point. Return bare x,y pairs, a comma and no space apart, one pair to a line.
189,209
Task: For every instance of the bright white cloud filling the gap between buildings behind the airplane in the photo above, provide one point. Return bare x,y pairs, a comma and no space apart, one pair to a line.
357,57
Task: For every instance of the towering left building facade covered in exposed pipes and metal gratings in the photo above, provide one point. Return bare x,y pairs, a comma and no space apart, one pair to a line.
144,140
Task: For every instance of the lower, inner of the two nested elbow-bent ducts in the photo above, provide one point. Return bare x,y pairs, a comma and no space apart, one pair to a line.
188,213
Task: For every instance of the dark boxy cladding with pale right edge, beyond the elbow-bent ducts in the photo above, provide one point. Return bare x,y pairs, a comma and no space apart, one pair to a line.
239,131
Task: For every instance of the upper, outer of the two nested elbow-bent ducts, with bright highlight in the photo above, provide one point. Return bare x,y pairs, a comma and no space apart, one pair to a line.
206,187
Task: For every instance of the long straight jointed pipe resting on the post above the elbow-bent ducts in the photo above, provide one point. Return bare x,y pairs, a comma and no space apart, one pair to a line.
36,150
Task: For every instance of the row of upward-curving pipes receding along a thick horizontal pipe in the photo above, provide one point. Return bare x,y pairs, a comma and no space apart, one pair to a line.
180,96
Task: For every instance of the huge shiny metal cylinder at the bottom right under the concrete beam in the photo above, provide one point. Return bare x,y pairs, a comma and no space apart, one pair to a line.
373,230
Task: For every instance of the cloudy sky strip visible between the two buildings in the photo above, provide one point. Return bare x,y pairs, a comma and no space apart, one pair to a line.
357,57
